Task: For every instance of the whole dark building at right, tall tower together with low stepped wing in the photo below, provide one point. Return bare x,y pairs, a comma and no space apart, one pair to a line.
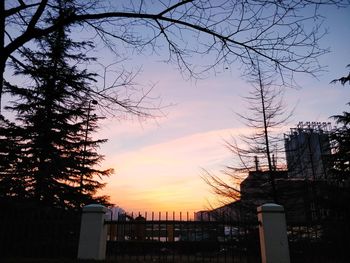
300,189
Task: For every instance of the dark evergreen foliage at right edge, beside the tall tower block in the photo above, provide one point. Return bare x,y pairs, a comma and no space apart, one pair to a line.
336,198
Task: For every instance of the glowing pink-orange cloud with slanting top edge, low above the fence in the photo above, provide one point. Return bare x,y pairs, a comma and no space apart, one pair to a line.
168,173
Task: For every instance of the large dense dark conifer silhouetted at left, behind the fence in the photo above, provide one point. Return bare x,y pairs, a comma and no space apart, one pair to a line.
52,119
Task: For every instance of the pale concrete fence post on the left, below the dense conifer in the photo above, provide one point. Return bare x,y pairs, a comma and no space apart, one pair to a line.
93,233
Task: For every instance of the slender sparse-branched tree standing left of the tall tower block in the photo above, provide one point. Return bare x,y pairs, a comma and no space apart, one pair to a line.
254,152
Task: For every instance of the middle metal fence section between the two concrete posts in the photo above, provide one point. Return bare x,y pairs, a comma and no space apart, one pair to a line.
158,239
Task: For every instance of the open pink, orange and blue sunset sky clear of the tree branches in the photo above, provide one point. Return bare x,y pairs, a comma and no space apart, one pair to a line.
158,163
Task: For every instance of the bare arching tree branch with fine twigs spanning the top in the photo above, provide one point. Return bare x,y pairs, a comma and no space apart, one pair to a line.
228,31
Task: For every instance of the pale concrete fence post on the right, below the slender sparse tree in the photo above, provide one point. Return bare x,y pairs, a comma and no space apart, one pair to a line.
273,234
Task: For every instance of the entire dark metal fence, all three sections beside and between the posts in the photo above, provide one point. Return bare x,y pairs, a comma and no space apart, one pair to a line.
34,232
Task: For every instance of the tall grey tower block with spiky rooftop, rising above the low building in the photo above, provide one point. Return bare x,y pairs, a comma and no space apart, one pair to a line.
307,147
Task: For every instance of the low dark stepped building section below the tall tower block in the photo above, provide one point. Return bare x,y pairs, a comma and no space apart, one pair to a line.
295,194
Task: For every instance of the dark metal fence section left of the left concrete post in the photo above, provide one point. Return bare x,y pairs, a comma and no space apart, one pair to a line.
38,232
